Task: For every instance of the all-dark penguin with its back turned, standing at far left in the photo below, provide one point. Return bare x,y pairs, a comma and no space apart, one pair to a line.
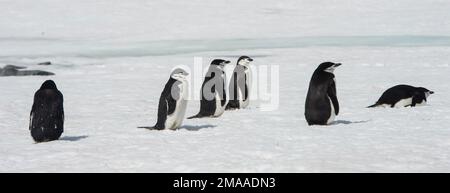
47,113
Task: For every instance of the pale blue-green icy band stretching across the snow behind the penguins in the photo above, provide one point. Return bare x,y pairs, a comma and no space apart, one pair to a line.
99,48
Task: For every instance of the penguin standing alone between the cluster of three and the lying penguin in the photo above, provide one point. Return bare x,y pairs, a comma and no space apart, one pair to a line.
321,102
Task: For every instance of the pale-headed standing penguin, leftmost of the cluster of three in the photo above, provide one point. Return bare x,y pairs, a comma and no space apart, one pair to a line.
173,102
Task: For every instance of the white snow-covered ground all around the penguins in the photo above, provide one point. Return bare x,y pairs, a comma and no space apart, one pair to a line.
112,63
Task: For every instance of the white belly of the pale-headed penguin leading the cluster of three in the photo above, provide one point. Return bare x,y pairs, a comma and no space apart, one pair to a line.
175,120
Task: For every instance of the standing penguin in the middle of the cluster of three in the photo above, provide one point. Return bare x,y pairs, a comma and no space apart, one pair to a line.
214,98
